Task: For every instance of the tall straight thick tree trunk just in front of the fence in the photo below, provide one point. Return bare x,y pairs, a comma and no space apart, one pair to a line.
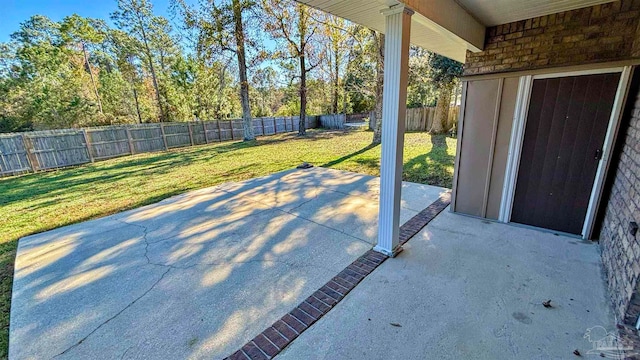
247,124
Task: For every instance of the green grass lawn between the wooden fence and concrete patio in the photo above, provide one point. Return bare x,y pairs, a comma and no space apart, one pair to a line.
38,202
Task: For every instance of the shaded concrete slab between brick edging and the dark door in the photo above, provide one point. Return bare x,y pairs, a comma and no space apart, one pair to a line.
466,288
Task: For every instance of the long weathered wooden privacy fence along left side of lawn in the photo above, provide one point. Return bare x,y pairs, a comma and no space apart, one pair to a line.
43,150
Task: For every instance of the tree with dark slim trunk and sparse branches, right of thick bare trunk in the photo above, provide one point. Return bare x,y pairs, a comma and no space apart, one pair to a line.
292,24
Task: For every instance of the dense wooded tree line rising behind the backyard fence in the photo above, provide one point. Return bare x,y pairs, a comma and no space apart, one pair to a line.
147,68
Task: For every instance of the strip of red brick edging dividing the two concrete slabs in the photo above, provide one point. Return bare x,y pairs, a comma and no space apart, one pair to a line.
280,334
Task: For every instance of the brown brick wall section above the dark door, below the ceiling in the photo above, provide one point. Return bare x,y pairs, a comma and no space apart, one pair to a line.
595,34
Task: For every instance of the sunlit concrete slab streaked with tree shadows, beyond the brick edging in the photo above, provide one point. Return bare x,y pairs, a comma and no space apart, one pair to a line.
193,276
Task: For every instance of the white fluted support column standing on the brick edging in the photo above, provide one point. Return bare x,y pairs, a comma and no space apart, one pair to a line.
394,107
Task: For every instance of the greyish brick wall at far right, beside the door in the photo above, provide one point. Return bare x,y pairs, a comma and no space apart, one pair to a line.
620,249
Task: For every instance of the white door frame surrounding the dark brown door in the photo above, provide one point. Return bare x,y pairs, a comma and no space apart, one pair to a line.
517,139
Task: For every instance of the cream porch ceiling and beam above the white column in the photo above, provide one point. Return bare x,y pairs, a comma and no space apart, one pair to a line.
448,27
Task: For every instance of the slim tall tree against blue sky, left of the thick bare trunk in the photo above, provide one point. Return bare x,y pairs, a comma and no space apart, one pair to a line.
137,19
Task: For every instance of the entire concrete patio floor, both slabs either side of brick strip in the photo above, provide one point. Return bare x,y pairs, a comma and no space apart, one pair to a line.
201,274
